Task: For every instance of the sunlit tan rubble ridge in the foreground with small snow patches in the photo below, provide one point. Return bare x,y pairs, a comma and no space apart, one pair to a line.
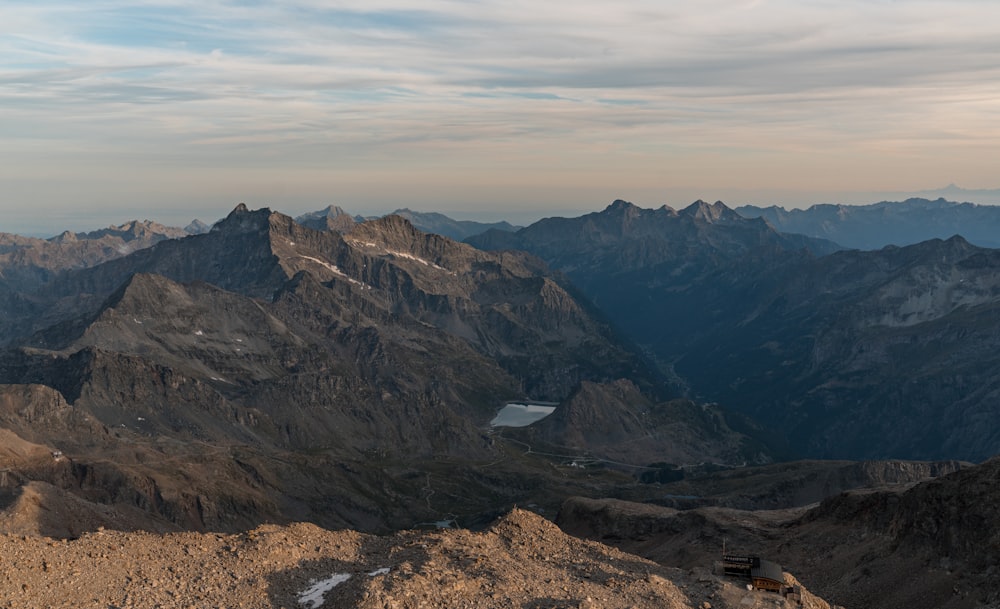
522,561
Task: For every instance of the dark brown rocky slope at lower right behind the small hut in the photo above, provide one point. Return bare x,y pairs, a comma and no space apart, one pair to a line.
924,545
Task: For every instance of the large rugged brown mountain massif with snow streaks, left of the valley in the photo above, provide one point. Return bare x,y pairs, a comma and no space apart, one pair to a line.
268,371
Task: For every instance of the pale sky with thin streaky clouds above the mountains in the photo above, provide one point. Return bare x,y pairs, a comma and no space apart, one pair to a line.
174,109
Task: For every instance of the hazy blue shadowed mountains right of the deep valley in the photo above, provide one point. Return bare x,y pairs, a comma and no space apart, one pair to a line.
837,354
